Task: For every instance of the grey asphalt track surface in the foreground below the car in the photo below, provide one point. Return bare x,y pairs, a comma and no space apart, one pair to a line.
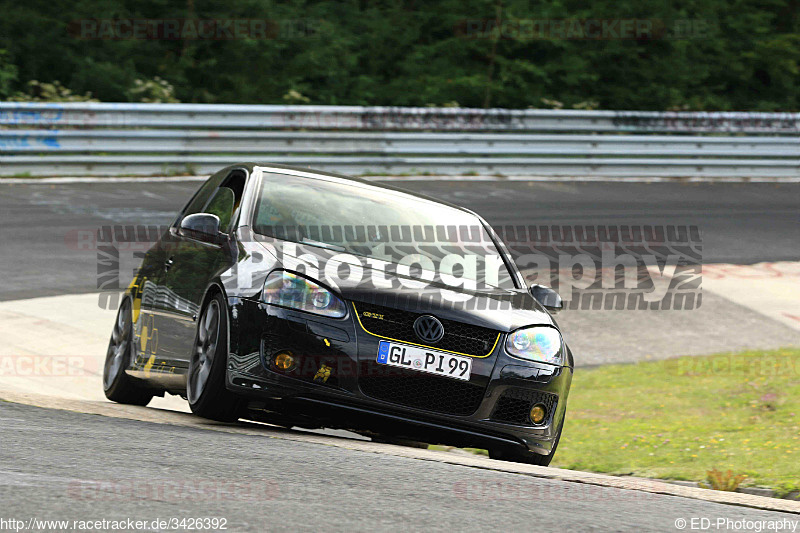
71,466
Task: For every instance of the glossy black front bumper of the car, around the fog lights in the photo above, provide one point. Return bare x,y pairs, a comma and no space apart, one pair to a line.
335,358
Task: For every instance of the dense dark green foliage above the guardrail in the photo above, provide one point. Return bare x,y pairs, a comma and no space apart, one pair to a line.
697,54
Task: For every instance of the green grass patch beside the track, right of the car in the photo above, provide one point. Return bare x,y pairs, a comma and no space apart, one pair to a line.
679,418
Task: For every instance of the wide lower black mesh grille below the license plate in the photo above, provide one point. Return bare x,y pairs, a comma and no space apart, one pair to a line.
418,390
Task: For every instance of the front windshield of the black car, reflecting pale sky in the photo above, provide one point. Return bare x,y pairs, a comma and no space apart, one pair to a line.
378,223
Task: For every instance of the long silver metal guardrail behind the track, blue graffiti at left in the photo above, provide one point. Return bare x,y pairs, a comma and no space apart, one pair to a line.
107,139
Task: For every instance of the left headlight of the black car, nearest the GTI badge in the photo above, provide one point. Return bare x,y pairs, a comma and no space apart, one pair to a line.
294,291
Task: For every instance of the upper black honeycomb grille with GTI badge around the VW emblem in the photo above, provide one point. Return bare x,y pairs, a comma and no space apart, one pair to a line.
397,324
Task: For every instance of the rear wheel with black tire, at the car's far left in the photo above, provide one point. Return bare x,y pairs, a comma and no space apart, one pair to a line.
118,386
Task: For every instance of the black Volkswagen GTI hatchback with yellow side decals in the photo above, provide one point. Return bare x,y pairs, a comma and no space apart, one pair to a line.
304,298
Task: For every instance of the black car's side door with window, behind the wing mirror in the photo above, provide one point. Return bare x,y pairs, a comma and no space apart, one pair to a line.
191,265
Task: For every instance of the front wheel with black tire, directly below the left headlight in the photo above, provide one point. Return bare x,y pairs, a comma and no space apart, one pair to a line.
205,381
